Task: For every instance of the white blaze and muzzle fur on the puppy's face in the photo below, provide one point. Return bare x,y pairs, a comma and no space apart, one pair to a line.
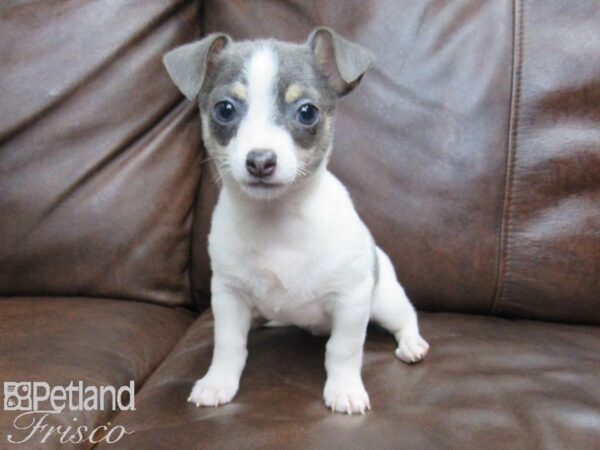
258,130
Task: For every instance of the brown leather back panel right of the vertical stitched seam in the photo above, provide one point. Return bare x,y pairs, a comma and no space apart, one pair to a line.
551,236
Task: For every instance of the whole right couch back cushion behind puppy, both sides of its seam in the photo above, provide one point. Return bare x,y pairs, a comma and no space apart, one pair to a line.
475,216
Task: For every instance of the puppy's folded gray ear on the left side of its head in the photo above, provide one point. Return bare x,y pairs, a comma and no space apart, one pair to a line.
188,65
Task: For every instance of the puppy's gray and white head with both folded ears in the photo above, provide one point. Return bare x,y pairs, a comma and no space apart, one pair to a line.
267,106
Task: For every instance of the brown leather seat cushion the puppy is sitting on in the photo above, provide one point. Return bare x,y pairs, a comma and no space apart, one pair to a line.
487,383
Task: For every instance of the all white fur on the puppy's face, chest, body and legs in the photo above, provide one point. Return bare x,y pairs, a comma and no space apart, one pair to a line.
303,257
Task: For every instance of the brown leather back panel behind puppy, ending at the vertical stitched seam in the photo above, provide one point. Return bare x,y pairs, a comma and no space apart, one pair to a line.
420,144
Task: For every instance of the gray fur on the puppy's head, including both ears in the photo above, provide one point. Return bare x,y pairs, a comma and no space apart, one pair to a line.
326,66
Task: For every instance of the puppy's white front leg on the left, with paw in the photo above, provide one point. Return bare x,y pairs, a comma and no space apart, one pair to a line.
232,323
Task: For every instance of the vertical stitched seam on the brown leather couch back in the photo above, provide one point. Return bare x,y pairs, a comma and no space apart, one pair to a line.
503,235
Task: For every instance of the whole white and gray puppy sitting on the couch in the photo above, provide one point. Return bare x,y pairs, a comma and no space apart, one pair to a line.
286,243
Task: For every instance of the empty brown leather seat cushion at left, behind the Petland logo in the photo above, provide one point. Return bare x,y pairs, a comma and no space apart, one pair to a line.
97,341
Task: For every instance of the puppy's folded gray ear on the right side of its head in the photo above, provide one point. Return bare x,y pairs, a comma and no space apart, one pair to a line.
343,62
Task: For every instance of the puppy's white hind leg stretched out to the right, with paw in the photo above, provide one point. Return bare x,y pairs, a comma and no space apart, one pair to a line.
392,310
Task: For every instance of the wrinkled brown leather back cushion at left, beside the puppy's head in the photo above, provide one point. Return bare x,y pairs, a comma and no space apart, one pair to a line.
99,158
